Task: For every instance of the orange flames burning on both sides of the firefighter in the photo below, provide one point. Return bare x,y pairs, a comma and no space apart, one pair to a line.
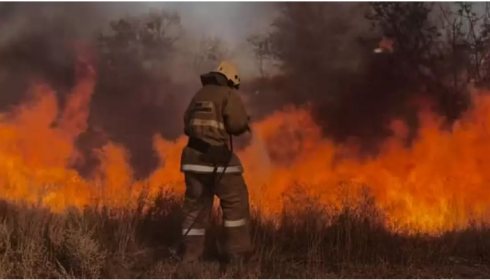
437,184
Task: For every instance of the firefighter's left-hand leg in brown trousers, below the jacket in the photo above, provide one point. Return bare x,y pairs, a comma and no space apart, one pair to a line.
197,206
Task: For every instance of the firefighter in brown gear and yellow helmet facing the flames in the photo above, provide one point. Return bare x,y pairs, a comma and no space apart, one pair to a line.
215,113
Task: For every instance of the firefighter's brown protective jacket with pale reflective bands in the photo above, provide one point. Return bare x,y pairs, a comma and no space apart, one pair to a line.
215,112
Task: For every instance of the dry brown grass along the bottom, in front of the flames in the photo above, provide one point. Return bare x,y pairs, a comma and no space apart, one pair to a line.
121,243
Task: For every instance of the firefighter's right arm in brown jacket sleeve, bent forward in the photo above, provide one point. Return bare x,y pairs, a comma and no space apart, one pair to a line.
235,116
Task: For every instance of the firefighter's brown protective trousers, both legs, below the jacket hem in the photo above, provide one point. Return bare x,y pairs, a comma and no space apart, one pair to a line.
233,194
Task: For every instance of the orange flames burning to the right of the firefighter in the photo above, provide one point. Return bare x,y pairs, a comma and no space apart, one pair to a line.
437,184
